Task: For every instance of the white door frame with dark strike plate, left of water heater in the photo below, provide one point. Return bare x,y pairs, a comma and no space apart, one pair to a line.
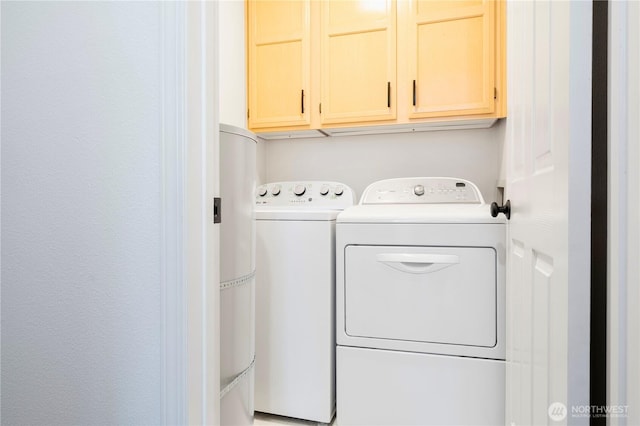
190,241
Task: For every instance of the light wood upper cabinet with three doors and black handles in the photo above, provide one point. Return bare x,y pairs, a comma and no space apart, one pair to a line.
348,63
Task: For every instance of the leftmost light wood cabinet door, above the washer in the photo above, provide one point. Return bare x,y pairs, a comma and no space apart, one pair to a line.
279,63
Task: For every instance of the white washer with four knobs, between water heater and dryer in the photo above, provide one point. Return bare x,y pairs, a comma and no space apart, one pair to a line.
295,297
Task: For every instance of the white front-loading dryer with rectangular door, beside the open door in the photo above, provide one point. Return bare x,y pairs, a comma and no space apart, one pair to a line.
420,297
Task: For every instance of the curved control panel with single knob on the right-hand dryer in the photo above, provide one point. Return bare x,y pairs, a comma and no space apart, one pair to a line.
422,190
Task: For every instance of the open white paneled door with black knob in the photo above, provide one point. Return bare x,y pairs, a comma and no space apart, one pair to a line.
548,145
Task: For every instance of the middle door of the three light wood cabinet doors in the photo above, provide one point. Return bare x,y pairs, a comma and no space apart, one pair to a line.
358,43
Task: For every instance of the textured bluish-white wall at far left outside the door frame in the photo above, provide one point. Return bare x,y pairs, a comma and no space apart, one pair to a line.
81,121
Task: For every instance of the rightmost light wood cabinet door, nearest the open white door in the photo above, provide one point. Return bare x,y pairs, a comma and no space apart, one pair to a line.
451,57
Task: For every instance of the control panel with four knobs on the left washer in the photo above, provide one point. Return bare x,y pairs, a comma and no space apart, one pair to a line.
319,194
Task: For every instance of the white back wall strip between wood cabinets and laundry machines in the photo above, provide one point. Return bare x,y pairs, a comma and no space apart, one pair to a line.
360,160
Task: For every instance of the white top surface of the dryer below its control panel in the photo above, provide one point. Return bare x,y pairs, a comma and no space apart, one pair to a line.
419,213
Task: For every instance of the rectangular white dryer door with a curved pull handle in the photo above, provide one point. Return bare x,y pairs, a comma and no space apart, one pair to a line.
441,295
